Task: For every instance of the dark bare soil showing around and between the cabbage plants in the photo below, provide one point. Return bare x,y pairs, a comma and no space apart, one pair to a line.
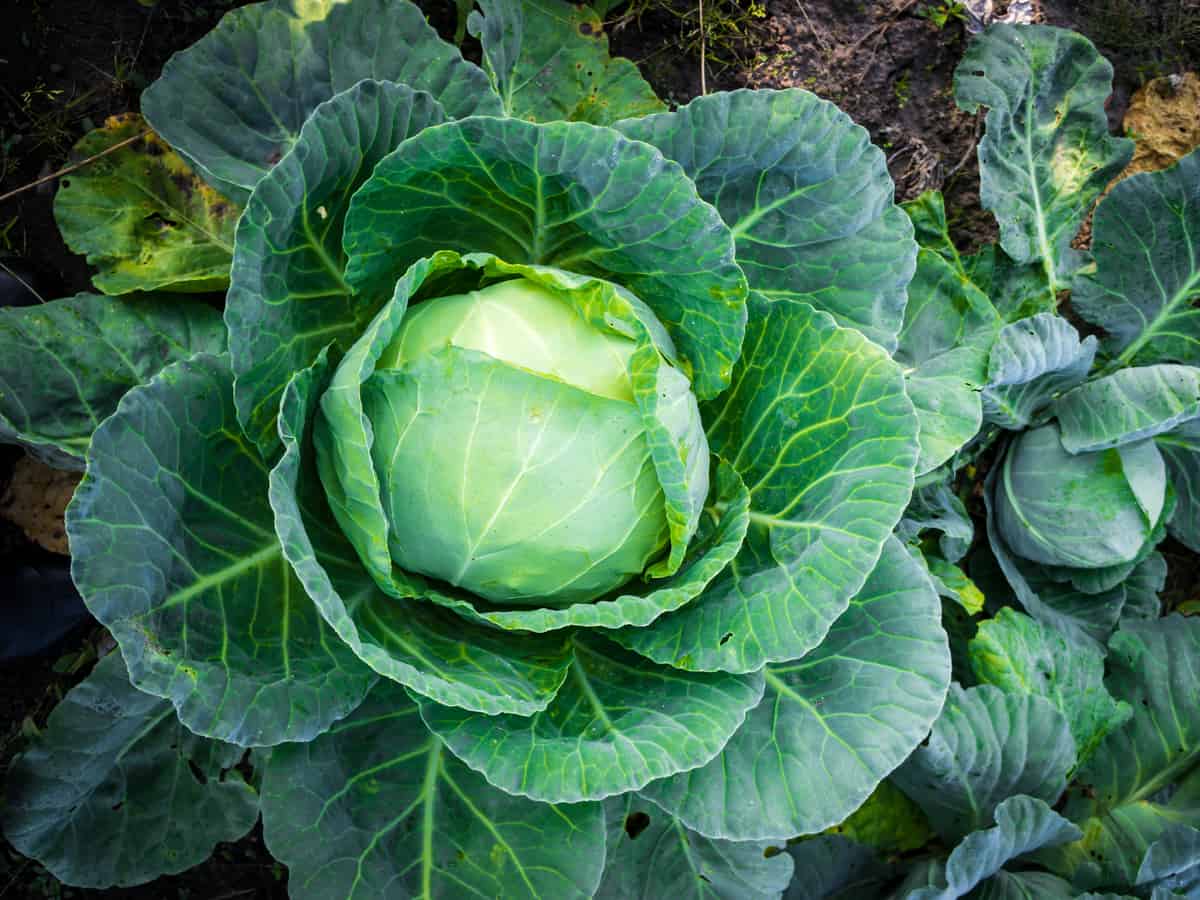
65,65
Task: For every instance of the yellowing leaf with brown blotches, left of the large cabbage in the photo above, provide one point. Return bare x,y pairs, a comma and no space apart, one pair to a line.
142,217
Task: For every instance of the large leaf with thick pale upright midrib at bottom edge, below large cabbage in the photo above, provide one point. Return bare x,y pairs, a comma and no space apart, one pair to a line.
379,808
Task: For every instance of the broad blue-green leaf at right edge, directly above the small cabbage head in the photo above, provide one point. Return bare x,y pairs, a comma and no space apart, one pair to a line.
1147,241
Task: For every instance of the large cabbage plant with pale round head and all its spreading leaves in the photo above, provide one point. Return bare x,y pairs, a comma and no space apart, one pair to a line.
524,526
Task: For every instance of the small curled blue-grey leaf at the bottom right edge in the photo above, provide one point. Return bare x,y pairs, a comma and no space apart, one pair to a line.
1023,825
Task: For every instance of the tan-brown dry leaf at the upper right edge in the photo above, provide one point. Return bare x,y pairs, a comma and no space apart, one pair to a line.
1163,121
